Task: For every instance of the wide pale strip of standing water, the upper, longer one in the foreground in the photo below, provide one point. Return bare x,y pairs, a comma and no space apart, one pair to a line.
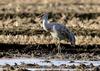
42,61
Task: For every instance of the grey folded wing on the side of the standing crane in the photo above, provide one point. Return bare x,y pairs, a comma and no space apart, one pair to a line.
64,33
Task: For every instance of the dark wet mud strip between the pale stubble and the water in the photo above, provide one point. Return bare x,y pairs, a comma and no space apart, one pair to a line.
79,52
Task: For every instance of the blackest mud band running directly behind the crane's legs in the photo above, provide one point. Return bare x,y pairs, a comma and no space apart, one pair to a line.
50,47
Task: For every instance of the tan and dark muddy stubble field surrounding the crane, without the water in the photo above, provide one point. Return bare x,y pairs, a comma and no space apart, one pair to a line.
22,35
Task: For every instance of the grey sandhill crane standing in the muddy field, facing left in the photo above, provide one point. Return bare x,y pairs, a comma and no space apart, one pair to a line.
58,31
